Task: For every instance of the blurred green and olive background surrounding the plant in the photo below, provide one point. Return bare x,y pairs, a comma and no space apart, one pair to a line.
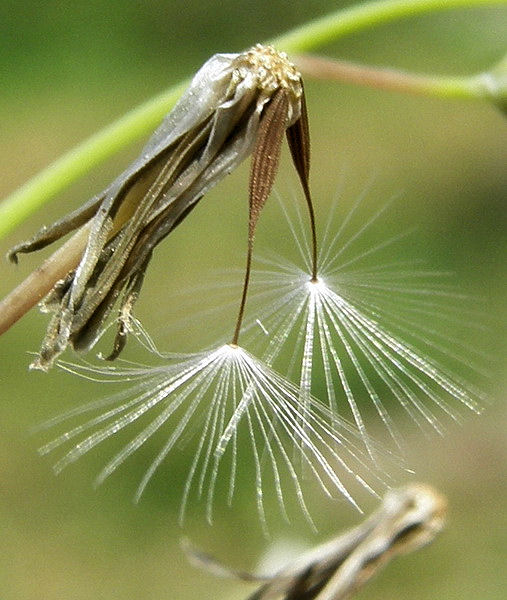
70,68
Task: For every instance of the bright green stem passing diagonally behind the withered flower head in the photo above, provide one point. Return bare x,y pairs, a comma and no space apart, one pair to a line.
71,166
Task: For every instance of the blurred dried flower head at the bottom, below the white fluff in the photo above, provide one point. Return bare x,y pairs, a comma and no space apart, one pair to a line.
408,519
